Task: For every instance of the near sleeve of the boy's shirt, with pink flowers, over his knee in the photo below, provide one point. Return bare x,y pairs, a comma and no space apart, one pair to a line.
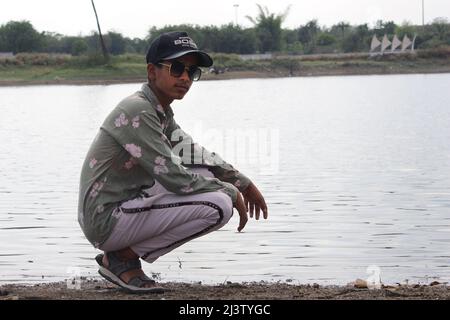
142,137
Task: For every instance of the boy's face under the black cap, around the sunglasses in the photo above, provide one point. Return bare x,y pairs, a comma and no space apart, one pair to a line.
168,86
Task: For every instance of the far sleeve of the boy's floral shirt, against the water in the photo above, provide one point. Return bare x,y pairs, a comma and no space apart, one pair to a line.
194,155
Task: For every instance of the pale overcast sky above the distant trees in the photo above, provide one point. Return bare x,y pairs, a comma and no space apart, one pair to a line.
133,18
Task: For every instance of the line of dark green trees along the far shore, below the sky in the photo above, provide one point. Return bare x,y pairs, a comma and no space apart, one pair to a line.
265,35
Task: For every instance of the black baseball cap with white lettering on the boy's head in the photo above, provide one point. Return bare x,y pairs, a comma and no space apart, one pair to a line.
172,45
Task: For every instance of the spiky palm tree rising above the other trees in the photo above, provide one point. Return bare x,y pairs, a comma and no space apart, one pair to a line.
268,27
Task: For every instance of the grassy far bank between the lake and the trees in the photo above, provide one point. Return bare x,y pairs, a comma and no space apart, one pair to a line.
54,69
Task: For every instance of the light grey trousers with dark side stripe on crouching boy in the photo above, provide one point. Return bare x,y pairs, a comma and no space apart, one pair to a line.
161,221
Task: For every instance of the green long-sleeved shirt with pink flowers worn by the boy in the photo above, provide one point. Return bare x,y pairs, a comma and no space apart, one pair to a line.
138,143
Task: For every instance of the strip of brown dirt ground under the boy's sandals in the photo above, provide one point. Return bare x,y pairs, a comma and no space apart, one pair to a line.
102,290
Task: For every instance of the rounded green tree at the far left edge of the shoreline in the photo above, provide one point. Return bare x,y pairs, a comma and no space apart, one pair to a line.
20,36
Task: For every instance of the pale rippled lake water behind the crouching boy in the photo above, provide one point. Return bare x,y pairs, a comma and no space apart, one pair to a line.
359,179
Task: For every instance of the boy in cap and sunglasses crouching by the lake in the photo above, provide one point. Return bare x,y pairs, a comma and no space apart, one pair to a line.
143,192
